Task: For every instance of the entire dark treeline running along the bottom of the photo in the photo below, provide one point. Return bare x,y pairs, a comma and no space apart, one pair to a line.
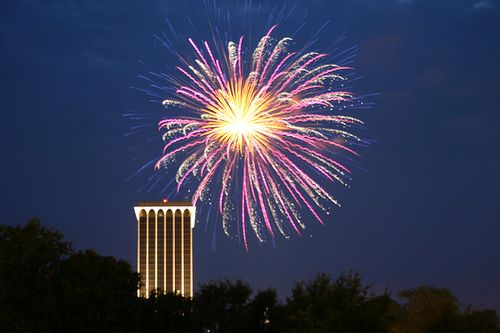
46,286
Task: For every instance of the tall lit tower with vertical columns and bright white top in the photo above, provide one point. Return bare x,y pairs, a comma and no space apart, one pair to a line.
165,247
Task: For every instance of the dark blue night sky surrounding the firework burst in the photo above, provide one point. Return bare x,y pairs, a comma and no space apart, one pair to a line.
426,209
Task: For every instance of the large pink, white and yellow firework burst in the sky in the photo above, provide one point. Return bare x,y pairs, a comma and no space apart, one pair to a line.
259,138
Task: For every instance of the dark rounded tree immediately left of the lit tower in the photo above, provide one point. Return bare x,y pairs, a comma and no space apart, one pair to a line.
95,293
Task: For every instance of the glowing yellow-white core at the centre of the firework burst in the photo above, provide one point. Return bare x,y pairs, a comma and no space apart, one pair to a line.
240,117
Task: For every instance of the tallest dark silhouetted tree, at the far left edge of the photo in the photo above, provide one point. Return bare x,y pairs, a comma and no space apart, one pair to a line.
30,257
